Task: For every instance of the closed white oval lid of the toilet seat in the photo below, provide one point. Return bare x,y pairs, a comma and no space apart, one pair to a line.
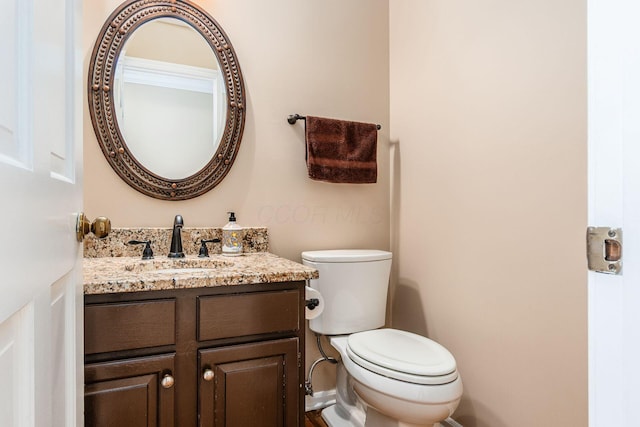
402,355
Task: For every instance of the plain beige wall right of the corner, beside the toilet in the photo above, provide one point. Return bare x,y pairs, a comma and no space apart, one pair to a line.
488,102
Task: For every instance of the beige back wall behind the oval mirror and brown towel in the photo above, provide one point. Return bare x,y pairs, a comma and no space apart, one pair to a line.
325,58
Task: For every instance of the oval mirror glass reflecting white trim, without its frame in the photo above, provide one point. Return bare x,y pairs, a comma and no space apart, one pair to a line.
169,97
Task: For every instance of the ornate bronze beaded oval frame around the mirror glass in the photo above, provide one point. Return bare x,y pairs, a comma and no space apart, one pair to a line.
115,32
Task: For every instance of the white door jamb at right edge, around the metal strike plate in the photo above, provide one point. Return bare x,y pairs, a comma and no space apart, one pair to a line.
614,200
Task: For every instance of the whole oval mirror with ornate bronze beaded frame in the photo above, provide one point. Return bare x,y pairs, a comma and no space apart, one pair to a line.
166,98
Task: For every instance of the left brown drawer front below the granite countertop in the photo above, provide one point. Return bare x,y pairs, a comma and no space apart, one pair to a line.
126,326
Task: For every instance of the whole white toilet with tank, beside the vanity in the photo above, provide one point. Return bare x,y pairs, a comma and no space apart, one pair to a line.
387,377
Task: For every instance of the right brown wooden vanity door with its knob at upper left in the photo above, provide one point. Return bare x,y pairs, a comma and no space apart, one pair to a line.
250,385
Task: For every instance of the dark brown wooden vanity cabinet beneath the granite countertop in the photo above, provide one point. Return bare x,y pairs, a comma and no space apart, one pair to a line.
228,356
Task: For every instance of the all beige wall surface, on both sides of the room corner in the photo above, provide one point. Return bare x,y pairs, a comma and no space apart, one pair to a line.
488,102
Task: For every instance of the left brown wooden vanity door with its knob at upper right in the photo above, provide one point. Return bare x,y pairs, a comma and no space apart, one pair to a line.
131,392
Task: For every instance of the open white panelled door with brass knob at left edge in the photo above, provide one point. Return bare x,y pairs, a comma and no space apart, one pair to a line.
40,151
